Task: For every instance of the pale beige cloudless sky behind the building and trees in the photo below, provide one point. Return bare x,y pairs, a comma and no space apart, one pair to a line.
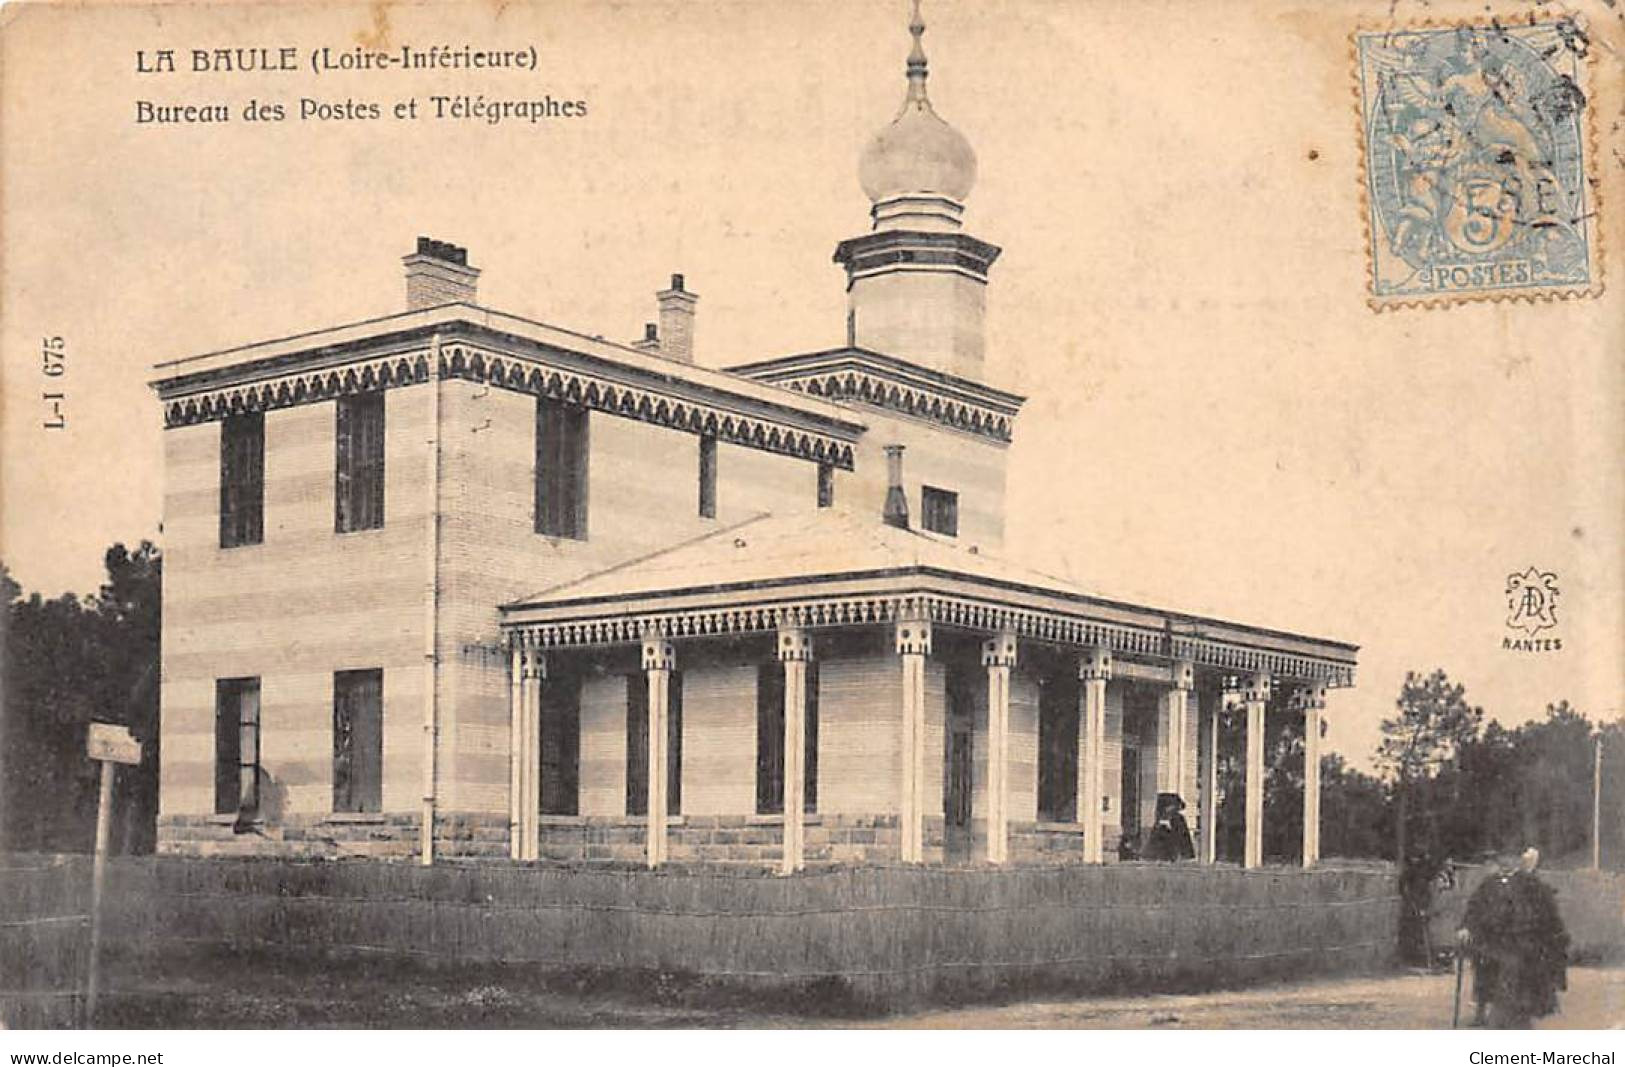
1218,423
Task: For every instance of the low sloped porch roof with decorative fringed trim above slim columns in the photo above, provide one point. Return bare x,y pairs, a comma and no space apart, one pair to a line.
833,568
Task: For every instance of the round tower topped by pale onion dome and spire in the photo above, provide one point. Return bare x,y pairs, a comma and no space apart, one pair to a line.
916,283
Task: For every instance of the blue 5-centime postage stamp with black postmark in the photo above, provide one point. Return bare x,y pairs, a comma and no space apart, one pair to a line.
1476,158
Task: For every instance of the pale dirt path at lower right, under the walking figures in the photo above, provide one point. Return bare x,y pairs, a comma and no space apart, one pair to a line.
1595,1001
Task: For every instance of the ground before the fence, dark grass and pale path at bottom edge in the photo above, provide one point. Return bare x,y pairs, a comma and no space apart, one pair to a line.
222,991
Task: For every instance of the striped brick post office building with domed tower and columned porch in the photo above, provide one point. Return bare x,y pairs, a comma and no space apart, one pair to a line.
461,584
